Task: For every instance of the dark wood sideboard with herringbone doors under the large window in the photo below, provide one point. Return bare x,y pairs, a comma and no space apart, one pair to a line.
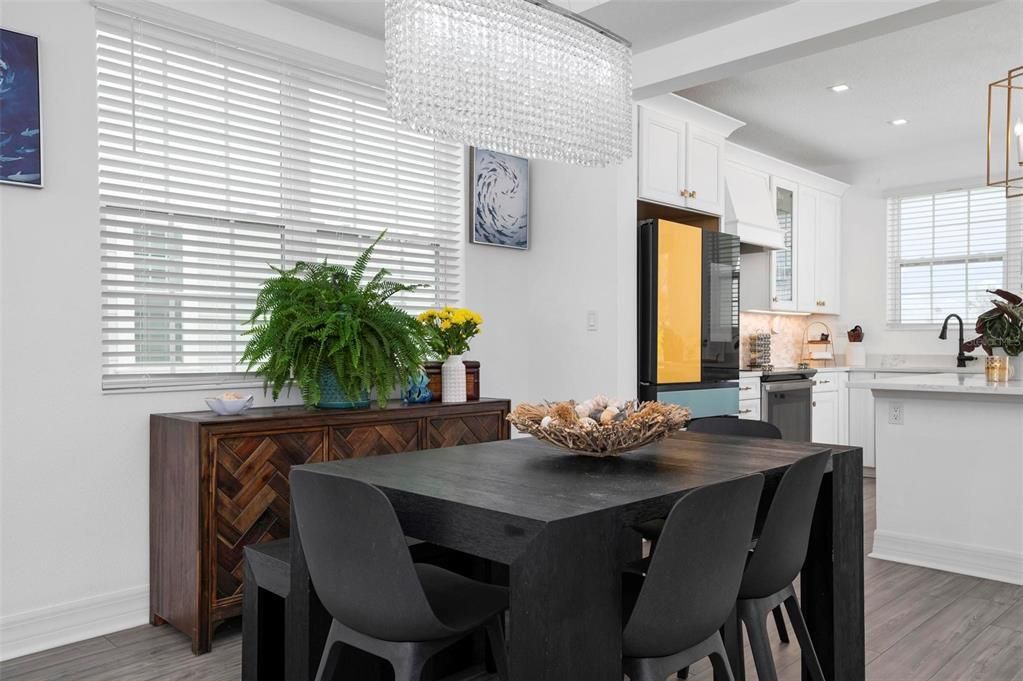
218,484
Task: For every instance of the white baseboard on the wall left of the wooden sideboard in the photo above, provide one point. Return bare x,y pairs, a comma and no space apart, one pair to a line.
46,628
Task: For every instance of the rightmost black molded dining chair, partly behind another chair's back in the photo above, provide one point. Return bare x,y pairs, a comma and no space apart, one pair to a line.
776,562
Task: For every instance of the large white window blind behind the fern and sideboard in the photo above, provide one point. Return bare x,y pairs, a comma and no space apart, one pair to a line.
216,162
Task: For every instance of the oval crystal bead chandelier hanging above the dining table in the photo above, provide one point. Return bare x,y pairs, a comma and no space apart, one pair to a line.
523,77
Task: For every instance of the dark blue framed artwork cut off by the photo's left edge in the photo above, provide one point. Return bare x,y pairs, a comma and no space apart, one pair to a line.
21,140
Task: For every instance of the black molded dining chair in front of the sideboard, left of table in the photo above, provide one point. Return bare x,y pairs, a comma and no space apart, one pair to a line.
381,602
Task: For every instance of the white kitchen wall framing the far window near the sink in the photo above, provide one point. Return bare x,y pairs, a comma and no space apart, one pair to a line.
864,239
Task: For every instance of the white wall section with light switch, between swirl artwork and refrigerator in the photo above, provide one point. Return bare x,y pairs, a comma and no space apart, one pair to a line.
536,346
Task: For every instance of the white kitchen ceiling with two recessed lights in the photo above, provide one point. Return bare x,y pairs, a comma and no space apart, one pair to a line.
933,75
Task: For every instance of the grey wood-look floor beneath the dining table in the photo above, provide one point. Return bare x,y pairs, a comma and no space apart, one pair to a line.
921,624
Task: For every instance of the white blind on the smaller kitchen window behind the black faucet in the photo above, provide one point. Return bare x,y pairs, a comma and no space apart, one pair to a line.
946,250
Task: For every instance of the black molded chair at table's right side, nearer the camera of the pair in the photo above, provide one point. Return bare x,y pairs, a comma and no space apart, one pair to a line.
674,614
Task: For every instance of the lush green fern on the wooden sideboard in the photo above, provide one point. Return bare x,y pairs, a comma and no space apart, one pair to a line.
319,316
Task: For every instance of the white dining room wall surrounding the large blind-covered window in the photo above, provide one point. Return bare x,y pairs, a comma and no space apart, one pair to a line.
74,538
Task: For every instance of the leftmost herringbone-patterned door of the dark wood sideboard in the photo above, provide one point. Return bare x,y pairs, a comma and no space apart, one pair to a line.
252,503
